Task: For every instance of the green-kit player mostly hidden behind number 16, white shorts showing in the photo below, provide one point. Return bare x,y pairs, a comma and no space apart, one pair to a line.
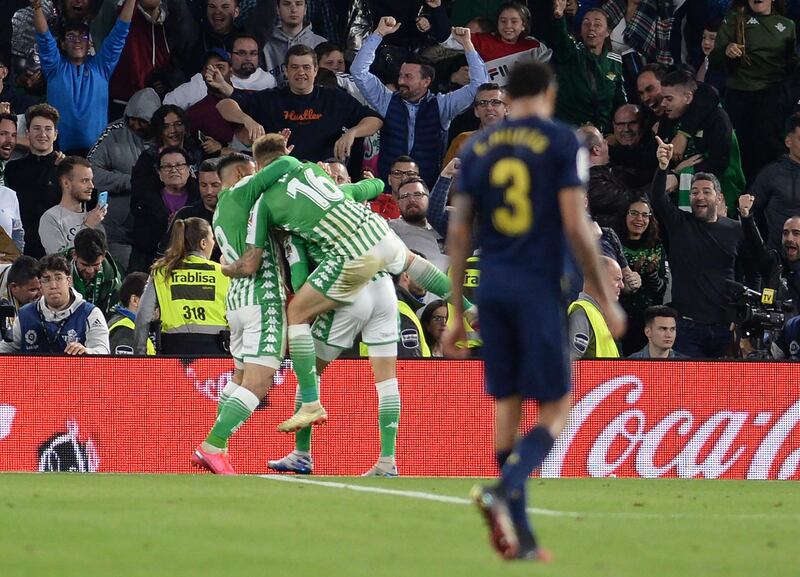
373,315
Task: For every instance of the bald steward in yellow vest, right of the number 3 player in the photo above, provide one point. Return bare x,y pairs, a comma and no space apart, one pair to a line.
589,337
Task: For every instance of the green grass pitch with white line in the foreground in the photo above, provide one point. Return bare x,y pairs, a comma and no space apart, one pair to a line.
163,525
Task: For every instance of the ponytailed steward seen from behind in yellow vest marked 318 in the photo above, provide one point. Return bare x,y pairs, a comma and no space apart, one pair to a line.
189,290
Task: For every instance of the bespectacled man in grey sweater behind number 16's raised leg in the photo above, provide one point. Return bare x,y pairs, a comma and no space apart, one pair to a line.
413,227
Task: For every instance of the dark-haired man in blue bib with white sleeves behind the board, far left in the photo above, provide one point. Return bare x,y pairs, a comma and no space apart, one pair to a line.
61,321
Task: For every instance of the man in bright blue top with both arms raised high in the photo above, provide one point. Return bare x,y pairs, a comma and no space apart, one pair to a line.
77,84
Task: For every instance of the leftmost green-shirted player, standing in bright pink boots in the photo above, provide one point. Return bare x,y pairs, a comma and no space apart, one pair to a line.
255,306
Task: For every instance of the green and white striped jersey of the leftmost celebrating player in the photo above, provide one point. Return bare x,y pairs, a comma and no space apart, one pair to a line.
235,227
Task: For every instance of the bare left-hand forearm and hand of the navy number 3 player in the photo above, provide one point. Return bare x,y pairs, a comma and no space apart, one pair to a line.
459,247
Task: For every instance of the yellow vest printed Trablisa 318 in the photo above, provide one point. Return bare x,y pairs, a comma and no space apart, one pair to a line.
194,299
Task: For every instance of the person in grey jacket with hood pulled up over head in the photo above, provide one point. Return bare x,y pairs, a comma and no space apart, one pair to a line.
112,158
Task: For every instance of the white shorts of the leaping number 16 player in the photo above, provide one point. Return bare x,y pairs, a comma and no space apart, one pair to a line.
341,279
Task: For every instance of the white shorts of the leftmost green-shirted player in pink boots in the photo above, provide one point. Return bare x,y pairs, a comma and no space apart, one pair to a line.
258,335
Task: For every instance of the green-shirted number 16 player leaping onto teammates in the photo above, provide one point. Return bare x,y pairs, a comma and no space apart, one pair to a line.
302,199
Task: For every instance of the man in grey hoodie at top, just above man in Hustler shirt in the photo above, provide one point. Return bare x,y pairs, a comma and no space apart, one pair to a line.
289,31
